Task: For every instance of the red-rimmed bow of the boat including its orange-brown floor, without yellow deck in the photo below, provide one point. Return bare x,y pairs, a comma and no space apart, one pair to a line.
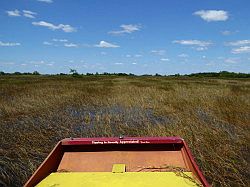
100,154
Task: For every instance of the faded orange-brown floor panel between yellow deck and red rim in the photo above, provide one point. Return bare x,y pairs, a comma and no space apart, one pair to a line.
134,160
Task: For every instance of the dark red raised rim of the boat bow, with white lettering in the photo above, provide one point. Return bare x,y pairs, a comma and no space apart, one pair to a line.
52,160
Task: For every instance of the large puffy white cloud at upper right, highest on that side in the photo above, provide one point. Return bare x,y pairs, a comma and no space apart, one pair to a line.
212,15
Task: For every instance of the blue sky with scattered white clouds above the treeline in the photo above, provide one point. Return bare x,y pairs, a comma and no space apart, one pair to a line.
141,37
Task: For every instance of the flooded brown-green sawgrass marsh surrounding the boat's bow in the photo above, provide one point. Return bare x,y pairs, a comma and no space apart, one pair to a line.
212,115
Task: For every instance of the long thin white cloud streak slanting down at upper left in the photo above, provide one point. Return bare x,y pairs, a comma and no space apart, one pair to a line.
65,28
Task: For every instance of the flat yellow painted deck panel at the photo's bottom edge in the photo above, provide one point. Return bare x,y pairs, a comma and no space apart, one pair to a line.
127,179
